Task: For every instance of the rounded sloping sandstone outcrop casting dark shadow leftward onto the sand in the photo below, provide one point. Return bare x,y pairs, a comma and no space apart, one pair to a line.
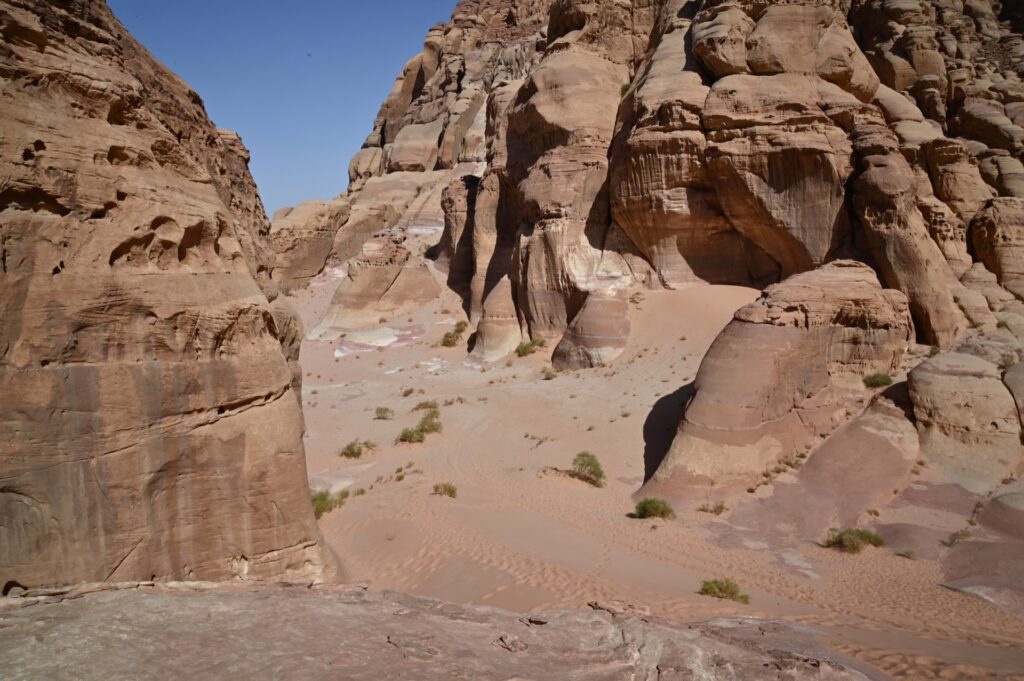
786,370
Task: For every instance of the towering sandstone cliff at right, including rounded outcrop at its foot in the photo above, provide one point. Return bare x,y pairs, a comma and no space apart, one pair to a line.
865,156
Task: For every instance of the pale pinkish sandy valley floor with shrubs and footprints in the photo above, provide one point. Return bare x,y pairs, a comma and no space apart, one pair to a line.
521,536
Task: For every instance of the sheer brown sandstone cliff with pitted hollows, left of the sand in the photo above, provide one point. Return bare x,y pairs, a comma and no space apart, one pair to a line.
151,427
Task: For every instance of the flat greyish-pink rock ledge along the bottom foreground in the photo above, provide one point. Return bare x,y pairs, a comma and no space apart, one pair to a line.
358,631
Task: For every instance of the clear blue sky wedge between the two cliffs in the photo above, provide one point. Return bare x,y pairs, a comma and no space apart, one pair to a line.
301,81
